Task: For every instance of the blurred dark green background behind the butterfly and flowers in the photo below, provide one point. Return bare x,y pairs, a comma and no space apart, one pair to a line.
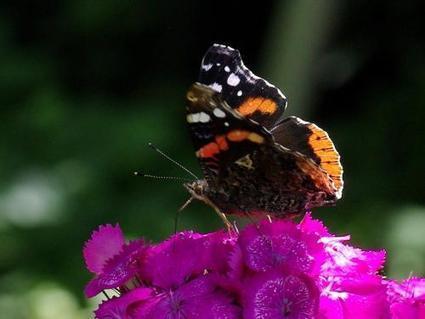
85,85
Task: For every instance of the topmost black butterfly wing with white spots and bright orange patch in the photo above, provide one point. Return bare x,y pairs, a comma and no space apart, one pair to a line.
222,69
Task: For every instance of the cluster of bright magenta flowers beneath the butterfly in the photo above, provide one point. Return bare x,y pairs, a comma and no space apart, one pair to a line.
272,270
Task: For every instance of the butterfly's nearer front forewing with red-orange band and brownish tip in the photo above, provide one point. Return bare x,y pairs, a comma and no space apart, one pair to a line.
215,129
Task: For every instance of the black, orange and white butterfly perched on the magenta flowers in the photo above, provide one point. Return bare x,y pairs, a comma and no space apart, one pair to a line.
254,161
